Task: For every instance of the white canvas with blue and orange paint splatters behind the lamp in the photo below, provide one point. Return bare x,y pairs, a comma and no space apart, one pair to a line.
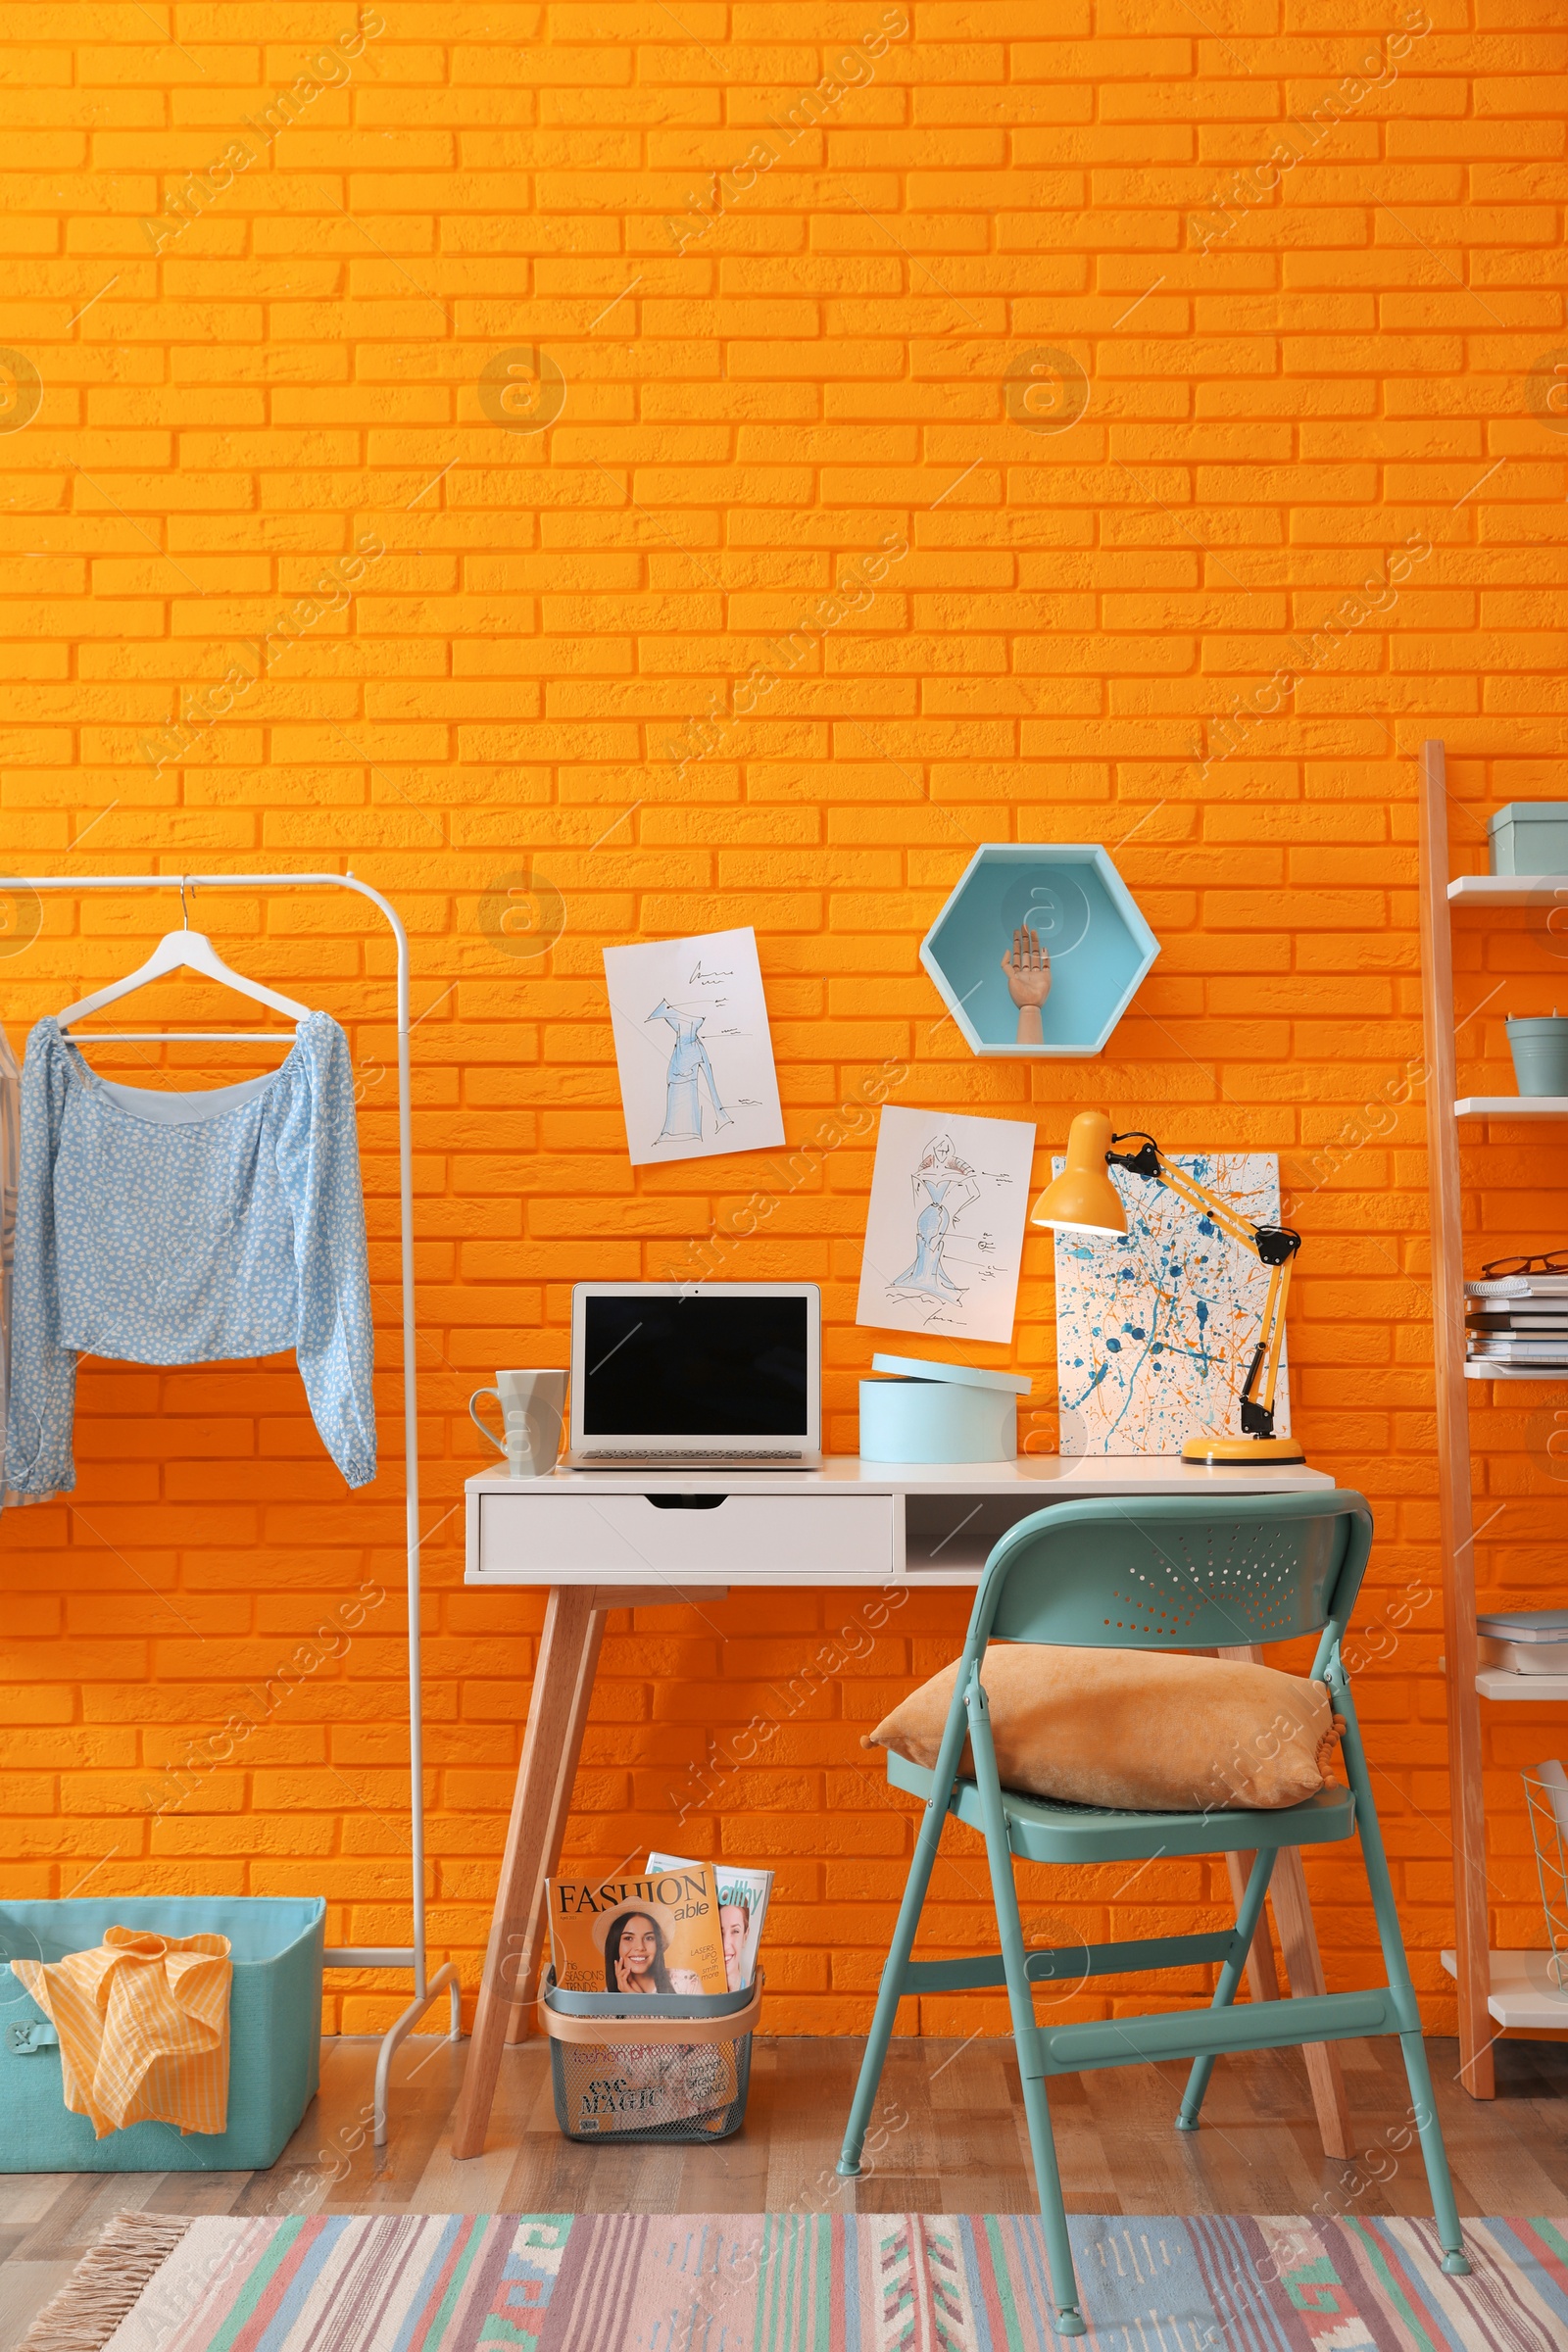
1155,1330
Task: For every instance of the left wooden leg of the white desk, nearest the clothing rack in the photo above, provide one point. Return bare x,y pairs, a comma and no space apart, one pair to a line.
556,1699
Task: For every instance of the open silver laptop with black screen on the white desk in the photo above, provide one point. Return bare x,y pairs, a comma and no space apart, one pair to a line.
676,1377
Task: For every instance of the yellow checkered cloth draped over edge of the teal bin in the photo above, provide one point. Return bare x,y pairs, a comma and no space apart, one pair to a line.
142,2029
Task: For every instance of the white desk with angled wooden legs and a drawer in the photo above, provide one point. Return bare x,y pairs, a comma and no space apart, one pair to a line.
636,1539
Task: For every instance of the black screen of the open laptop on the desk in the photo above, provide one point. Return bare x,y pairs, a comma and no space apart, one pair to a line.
695,1368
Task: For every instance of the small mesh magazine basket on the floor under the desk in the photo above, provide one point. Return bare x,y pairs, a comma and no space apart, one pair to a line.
678,2069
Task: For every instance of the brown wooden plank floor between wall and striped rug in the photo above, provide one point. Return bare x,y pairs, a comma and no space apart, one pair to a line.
949,2139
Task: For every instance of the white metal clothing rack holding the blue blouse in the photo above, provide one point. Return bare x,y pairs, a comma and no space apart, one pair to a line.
427,1989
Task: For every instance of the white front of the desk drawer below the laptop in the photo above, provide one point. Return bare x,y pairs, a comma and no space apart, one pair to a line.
563,1539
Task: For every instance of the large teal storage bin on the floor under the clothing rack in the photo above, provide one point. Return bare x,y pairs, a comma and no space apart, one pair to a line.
274,2033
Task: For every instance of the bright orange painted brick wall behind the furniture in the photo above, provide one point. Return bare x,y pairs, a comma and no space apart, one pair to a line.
779,262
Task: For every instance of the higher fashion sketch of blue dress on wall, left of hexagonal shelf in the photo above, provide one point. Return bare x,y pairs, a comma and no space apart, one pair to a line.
692,1048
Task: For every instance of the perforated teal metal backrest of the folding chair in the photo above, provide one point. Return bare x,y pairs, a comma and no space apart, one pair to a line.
1177,1572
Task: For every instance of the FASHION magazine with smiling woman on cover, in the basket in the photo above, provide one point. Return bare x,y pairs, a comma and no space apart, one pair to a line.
648,1937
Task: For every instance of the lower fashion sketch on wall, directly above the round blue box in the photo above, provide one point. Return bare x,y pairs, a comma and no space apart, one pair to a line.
944,1229
